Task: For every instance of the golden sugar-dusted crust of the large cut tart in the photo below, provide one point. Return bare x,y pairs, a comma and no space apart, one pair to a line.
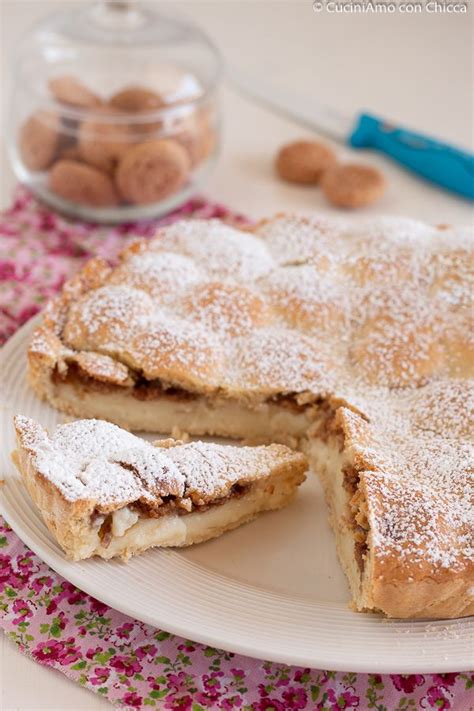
305,314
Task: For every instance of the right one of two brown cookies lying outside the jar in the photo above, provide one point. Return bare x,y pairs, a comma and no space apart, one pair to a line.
351,185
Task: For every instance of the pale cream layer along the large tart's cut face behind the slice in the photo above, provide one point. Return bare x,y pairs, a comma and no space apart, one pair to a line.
201,416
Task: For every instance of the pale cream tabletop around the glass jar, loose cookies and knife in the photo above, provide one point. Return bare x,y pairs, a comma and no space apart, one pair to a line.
415,69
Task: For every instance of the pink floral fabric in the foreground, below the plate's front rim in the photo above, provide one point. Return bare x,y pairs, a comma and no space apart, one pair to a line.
134,665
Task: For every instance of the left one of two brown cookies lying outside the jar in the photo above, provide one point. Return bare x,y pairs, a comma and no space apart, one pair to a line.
304,162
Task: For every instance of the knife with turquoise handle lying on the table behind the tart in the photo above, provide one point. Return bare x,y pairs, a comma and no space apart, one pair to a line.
434,160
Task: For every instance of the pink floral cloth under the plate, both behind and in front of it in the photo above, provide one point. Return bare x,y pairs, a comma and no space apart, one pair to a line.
126,661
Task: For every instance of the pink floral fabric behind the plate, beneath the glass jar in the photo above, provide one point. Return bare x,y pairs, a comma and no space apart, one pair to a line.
39,250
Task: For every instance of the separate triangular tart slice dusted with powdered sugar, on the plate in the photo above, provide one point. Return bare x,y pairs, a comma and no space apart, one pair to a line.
103,491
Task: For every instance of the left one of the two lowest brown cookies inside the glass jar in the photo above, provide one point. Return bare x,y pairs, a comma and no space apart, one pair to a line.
81,183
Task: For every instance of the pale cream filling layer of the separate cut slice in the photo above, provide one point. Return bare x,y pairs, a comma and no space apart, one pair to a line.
133,534
